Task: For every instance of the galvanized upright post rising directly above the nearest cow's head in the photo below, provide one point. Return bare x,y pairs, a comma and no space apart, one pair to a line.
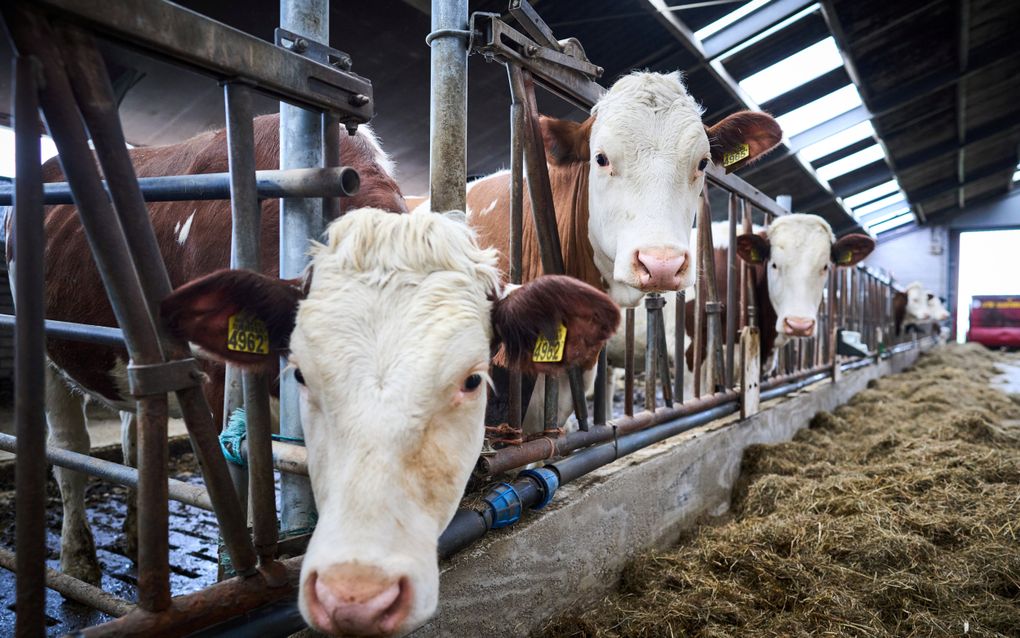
448,113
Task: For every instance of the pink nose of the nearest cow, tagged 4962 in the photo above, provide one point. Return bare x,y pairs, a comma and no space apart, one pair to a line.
359,601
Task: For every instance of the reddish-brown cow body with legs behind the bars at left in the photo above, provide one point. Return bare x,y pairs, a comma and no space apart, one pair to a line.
194,239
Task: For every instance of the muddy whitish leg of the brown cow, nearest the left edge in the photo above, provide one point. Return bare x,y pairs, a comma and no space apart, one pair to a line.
66,420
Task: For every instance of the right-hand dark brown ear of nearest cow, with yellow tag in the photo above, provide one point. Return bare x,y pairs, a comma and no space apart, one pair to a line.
552,324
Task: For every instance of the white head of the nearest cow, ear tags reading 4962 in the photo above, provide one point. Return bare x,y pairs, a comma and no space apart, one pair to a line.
391,343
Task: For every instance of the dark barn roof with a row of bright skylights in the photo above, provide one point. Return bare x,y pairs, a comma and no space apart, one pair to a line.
895,113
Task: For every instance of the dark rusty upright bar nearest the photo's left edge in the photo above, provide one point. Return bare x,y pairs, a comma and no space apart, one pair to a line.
30,365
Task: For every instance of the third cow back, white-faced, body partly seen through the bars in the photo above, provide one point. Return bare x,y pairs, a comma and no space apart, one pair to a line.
791,261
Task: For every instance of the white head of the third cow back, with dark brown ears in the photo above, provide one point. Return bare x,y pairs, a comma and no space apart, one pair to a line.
798,252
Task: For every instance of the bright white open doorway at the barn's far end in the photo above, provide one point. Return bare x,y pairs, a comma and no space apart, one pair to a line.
983,259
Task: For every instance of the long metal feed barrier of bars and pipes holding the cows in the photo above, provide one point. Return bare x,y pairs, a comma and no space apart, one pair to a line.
123,242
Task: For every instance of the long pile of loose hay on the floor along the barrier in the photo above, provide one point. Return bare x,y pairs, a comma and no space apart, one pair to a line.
899,514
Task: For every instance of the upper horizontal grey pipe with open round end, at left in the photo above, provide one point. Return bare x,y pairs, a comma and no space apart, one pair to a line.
330,183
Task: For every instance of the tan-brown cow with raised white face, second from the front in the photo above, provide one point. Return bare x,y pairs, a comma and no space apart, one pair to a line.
626,184
